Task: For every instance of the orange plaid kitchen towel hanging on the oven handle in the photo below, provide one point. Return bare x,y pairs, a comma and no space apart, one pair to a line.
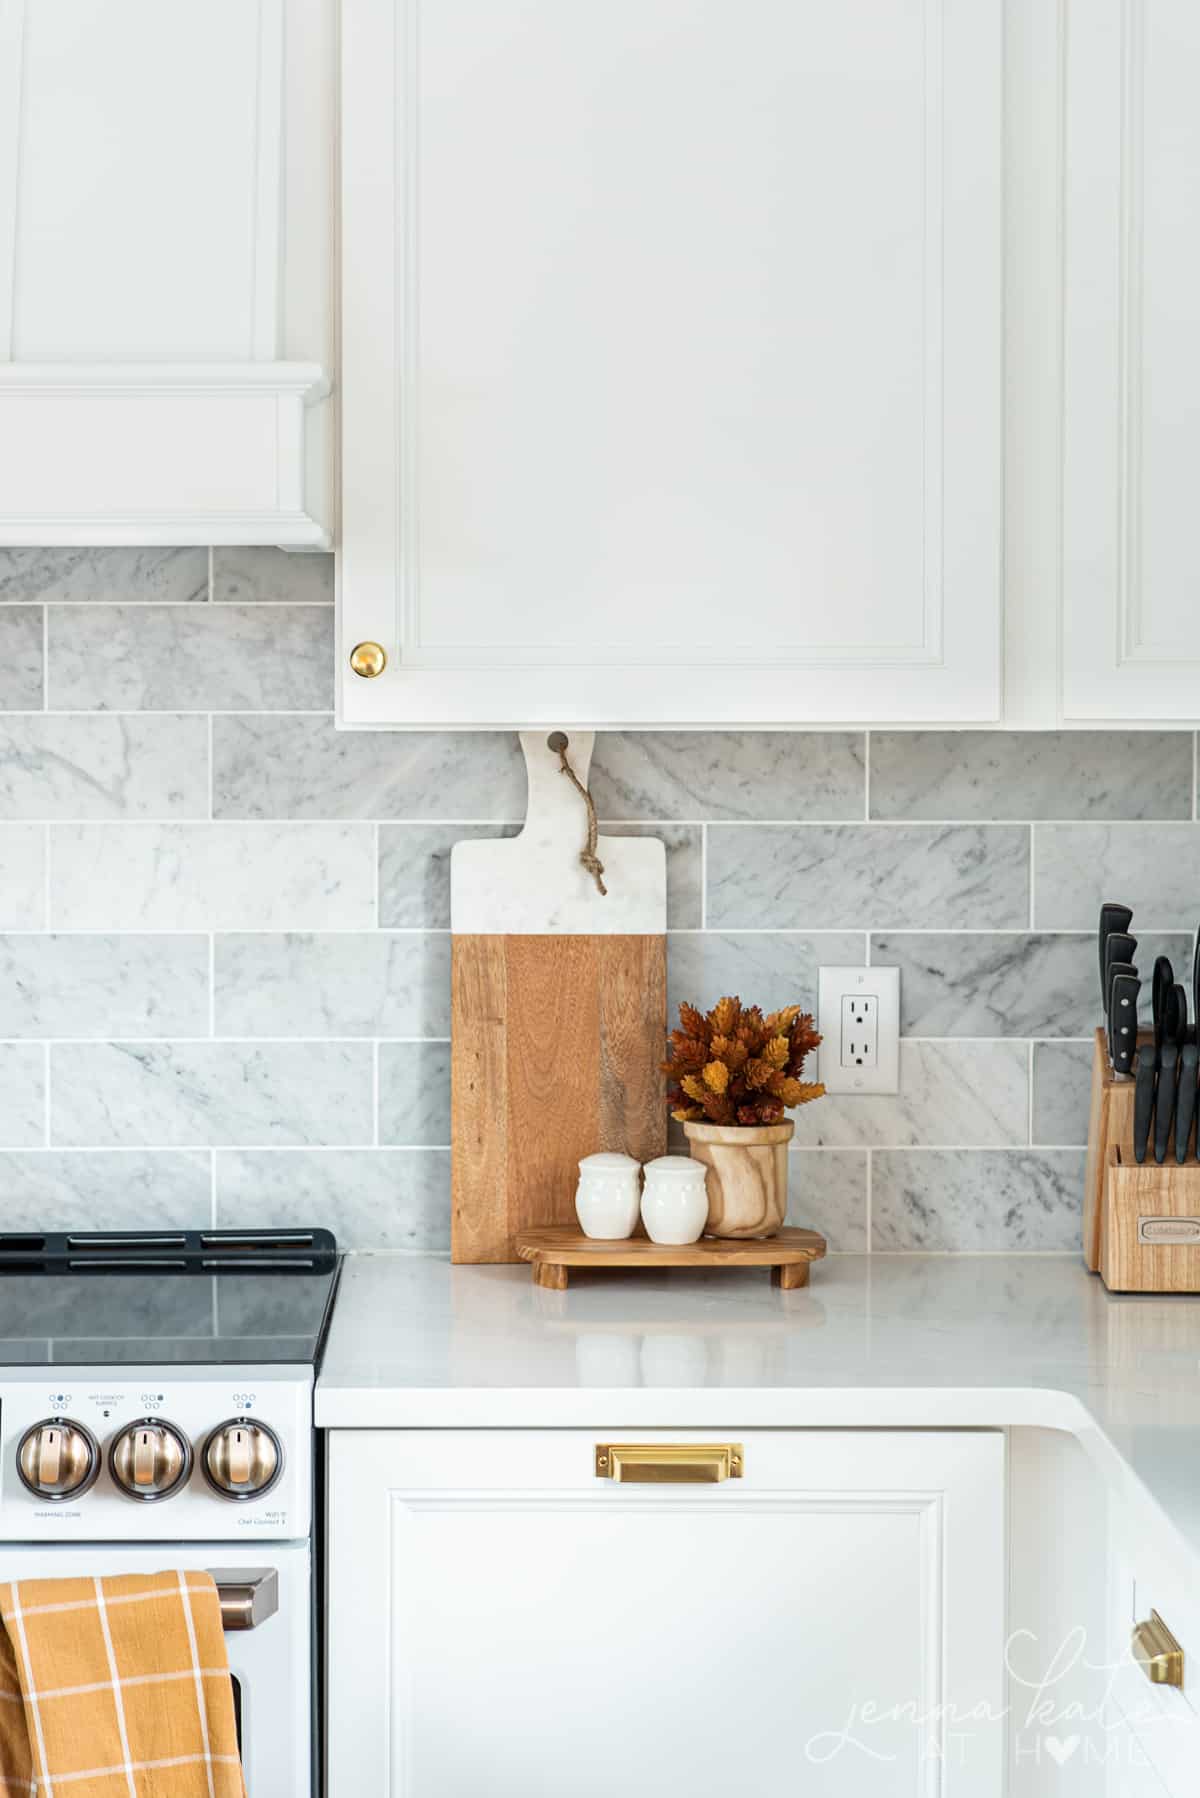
116,1689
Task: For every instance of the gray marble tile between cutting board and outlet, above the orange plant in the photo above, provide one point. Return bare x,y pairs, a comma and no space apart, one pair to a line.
762,968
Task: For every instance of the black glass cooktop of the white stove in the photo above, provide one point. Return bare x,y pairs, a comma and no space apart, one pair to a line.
174,1297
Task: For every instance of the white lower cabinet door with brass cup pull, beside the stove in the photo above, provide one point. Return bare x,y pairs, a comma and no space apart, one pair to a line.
505,1621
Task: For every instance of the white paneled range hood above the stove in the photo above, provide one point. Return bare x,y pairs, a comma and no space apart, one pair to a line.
166,321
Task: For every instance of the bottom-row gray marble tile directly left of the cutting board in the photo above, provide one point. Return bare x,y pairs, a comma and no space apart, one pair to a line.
375,1200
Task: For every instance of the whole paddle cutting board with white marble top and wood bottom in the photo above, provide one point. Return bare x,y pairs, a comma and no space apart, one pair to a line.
559,1011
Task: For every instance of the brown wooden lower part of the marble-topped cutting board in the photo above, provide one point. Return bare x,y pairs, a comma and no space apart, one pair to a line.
555,1055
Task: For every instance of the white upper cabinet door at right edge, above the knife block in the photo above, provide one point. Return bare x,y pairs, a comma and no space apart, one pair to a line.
1133,360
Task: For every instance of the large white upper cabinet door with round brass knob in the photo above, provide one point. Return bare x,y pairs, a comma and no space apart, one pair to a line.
672,360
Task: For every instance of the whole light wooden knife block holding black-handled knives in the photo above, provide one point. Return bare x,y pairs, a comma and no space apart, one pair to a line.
1138,1220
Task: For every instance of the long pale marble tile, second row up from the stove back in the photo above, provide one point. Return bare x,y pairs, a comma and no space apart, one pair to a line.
188,1096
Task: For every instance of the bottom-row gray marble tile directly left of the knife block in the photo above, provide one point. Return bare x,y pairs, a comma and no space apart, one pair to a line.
978,1204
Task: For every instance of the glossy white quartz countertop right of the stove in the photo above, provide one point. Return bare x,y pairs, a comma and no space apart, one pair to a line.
882,1340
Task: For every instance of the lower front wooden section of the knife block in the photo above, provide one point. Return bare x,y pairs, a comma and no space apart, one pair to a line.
1143,1193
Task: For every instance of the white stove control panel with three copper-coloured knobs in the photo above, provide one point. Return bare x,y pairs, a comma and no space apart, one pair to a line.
100,1455
